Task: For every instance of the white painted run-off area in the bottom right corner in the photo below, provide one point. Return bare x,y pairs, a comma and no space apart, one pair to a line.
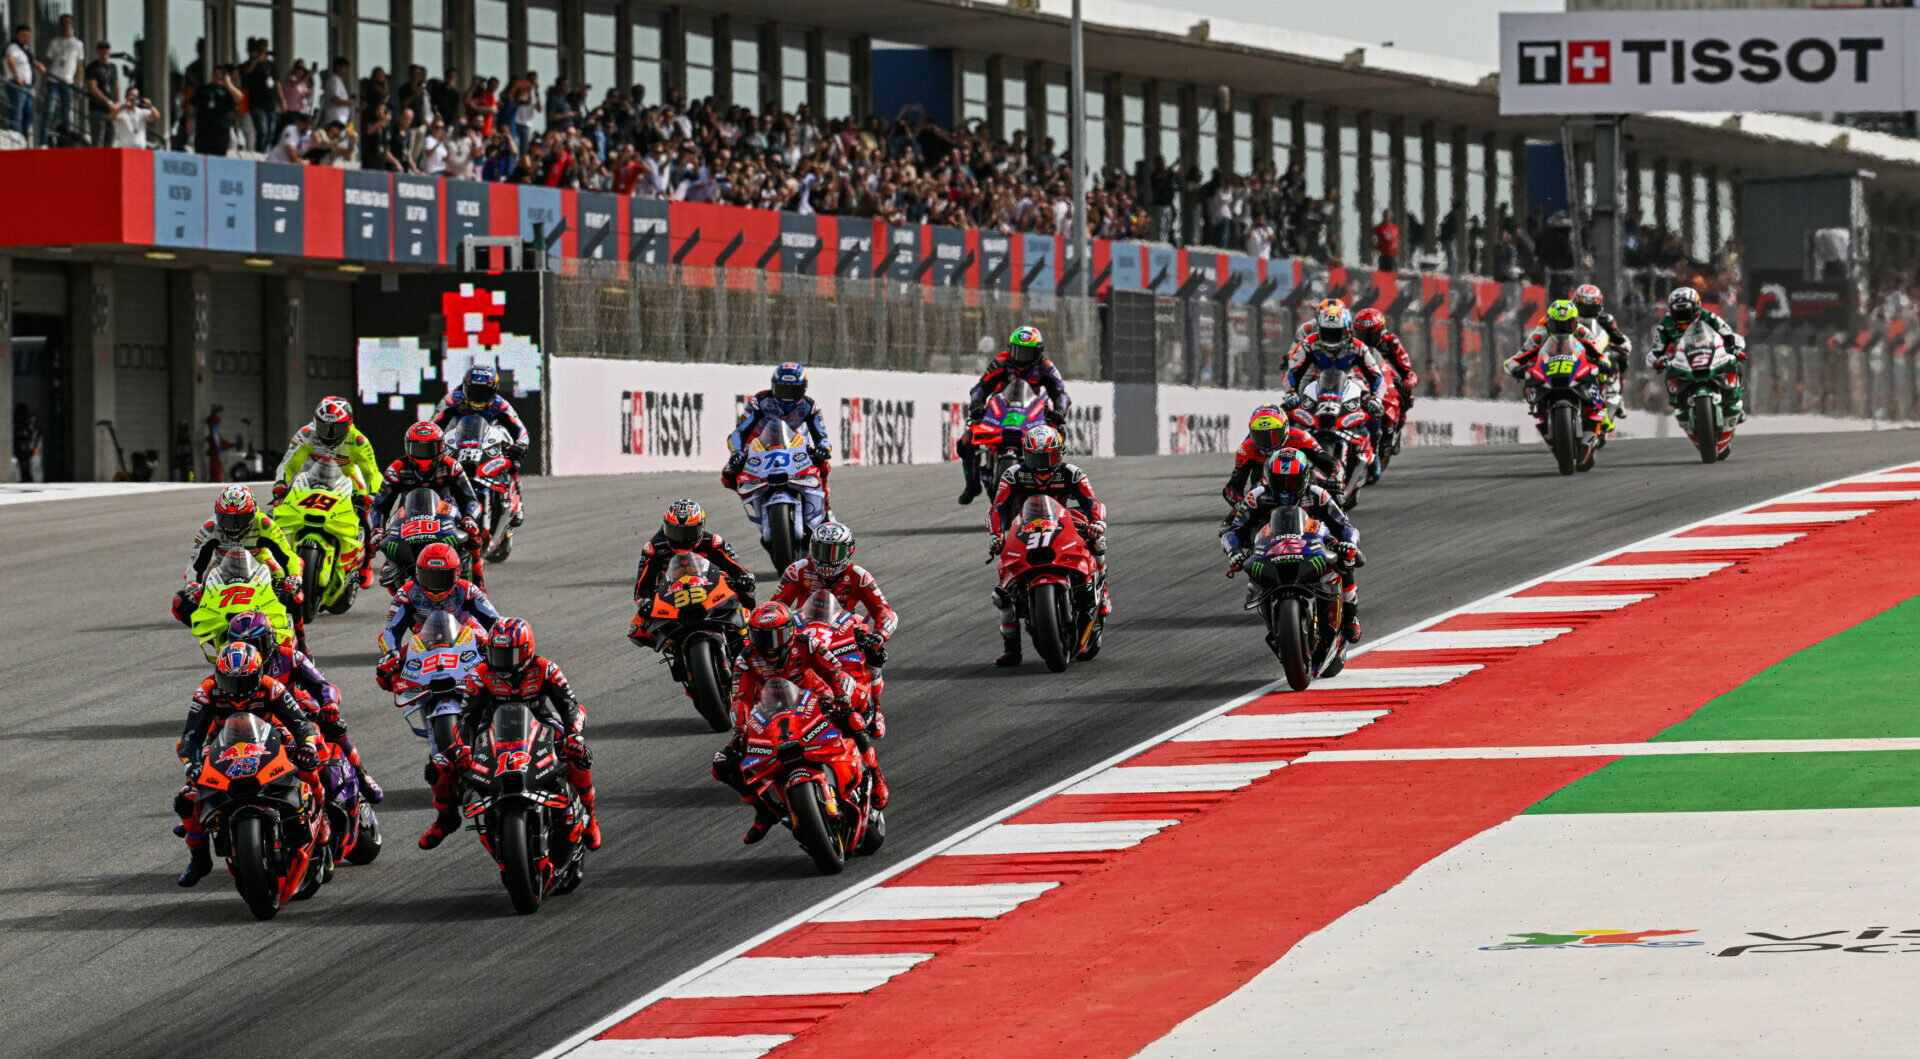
1408,974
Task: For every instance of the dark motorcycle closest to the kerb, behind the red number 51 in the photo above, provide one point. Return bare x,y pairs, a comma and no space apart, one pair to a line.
1295,584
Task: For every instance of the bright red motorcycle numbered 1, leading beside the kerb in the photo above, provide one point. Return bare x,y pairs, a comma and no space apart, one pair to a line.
811,776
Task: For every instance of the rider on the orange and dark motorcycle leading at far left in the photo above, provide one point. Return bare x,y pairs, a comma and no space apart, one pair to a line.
239,684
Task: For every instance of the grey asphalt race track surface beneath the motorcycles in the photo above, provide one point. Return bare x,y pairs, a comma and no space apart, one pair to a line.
421,954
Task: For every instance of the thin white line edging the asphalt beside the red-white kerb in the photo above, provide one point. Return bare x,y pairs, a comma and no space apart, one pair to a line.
946,845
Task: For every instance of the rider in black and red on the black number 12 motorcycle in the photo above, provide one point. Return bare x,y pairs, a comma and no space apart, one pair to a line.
514,672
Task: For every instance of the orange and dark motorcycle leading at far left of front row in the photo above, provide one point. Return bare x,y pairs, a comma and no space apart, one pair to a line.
262,816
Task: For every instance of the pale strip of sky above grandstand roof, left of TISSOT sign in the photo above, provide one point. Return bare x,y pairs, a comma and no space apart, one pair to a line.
1460,30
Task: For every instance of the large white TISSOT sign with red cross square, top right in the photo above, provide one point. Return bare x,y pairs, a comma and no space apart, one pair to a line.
1635,62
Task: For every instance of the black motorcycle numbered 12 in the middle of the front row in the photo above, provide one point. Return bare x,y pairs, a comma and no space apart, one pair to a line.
527,814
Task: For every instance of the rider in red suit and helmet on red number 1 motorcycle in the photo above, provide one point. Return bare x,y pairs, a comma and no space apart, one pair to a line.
777,649
